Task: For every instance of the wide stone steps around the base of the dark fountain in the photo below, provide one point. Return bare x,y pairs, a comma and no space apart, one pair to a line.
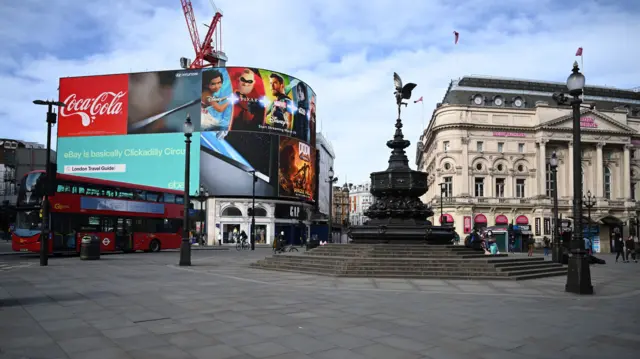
410,261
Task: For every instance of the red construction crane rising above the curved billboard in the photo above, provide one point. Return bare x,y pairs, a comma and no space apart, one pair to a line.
208,52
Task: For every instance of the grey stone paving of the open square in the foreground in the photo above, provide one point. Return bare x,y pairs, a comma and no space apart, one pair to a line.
144,306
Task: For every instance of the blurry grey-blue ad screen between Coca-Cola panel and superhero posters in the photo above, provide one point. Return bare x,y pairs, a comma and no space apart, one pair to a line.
159,102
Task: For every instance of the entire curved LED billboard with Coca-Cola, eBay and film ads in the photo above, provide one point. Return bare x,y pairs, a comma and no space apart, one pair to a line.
245,120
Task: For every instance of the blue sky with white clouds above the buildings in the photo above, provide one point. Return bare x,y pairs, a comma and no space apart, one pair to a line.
346,51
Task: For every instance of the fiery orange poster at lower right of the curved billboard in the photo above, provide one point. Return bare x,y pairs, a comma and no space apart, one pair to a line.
296,169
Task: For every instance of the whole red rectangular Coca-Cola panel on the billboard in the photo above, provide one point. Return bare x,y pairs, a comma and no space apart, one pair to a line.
94,106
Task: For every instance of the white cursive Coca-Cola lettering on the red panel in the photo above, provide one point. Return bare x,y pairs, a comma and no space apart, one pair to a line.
106,103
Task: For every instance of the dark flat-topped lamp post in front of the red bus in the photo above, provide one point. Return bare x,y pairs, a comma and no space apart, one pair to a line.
46,223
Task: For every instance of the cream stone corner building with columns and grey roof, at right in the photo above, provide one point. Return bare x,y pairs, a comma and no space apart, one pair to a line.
490,140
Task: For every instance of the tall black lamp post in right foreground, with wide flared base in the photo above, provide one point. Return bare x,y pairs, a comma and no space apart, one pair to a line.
579,274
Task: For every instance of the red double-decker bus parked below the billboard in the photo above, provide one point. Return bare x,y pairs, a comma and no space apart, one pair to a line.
125,217
